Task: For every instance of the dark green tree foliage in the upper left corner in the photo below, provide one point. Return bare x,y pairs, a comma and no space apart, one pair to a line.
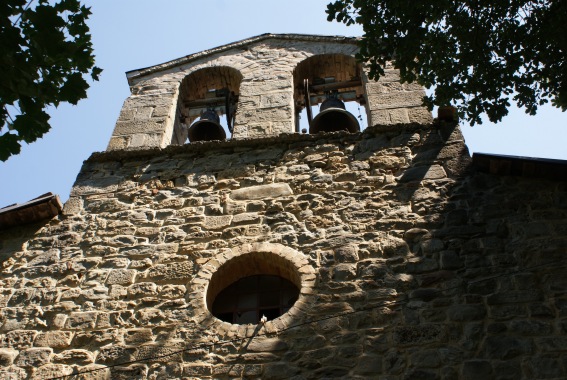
45,50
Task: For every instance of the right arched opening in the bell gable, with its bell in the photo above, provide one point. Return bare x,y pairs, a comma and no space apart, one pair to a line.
332,81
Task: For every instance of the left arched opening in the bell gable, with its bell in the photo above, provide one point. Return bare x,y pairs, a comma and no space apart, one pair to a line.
207,104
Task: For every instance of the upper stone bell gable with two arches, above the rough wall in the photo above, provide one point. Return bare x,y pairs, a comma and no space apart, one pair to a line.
262,81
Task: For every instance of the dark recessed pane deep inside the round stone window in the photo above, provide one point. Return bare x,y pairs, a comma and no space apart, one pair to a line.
252,298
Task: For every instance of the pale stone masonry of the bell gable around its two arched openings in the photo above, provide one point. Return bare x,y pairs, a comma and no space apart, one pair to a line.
266,105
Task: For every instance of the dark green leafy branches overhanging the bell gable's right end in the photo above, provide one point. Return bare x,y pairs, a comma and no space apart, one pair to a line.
477,55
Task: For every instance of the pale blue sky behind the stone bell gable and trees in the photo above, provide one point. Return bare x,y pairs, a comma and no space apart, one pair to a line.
131,34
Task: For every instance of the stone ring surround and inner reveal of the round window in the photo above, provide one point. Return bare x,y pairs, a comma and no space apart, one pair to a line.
258,258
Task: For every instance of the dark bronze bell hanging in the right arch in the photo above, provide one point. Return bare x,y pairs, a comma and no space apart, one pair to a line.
334,117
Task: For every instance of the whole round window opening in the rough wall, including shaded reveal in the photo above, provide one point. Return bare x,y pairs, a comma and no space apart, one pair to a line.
249,287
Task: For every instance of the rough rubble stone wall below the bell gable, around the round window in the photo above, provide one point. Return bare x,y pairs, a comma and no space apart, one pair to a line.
411,265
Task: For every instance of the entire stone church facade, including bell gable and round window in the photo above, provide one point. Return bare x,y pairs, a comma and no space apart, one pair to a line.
232,229
